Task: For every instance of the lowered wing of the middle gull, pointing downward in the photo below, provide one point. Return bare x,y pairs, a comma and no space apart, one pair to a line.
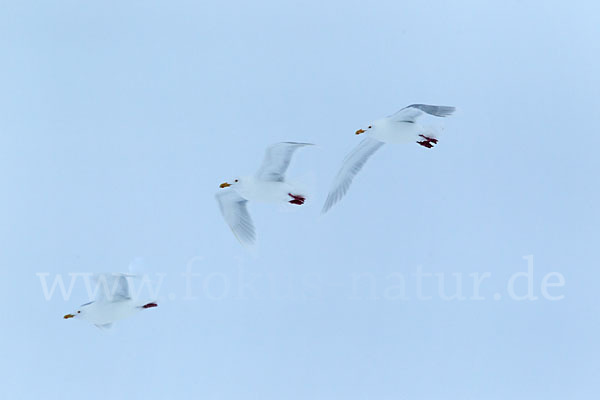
233,208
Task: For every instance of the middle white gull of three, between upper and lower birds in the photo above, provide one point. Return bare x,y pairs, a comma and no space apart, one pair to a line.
268,185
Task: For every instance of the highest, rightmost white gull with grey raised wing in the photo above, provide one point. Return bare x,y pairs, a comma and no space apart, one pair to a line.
401,127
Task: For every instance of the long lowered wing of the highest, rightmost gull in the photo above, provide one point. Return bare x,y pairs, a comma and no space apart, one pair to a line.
352,164
